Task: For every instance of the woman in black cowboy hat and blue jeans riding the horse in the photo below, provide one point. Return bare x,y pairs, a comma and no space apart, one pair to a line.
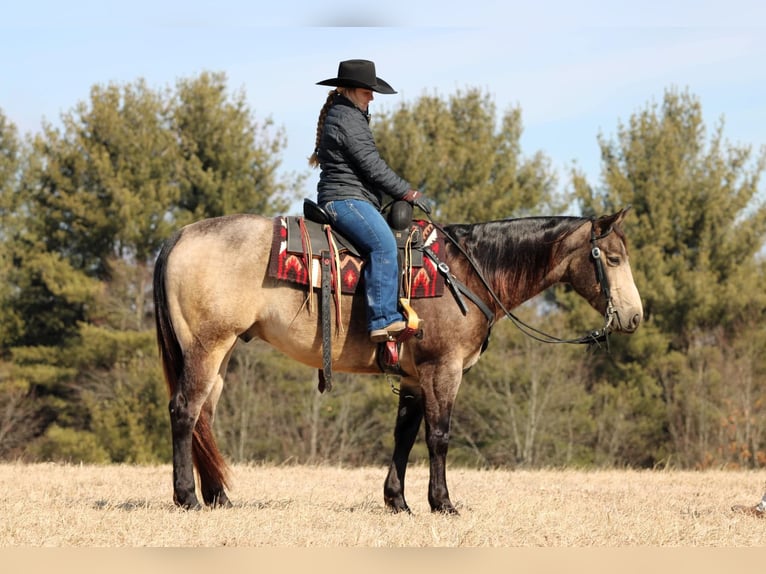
352,181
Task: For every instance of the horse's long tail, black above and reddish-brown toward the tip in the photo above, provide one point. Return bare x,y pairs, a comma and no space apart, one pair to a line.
207,458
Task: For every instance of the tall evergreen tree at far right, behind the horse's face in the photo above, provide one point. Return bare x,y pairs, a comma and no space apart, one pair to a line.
699,224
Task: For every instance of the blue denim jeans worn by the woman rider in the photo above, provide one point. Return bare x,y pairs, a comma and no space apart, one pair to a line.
361,223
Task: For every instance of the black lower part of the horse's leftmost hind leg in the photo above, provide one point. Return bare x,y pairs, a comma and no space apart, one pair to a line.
182,425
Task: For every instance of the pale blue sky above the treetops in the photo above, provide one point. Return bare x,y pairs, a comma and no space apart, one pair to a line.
576,69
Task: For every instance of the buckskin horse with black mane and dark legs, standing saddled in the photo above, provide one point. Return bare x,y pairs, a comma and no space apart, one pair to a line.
212,289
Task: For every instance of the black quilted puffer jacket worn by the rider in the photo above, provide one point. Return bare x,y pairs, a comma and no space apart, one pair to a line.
349,159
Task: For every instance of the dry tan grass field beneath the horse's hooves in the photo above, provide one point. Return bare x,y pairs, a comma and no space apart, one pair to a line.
70,506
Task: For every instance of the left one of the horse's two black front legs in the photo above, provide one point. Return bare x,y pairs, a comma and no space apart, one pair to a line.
408,419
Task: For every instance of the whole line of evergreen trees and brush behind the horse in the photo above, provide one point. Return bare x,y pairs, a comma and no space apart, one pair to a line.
85,206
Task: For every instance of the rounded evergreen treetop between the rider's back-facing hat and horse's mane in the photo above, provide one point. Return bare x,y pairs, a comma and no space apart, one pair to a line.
455,152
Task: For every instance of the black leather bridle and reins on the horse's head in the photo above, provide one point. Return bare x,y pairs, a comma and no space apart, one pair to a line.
594,337
